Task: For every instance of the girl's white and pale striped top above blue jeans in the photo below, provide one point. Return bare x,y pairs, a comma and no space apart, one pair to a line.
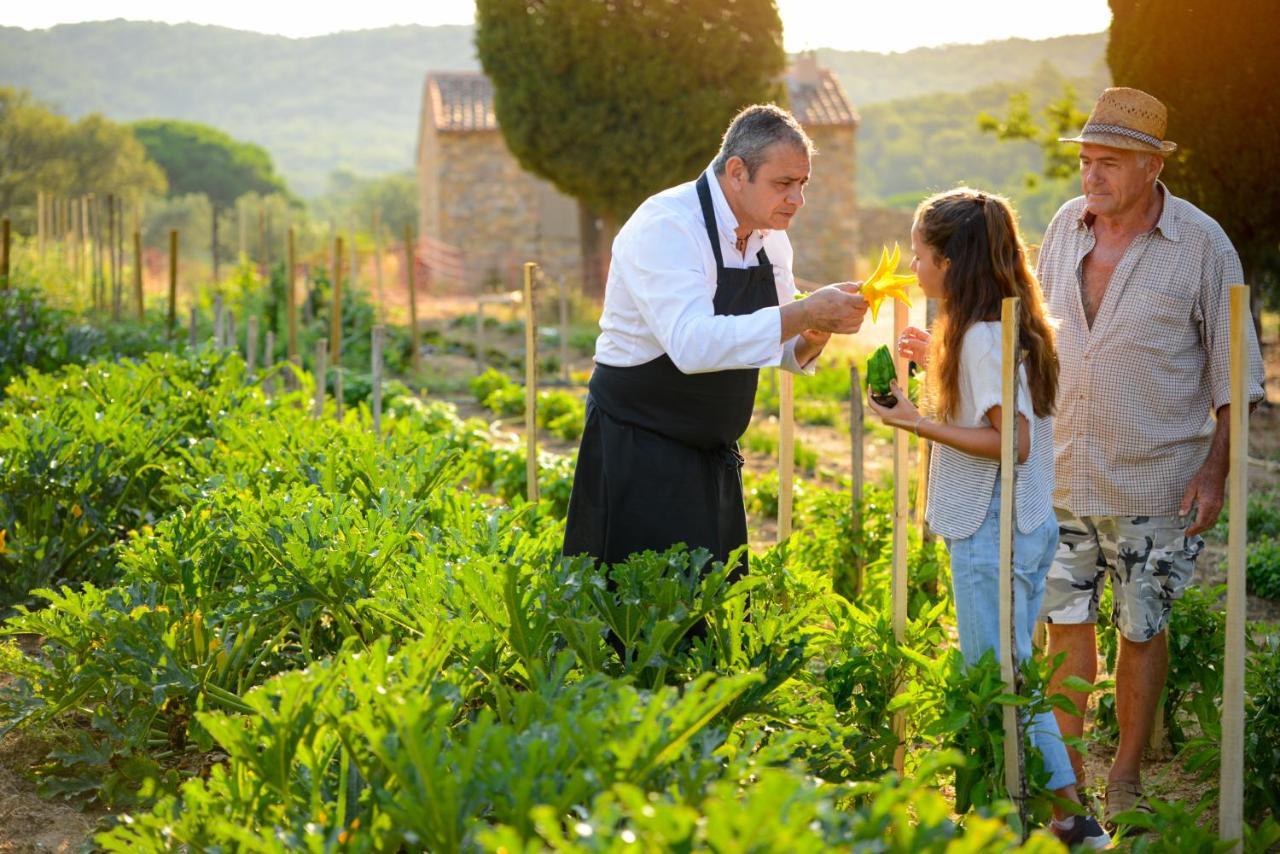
961,485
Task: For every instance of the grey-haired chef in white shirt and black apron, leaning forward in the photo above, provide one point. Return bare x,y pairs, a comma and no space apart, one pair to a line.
700,298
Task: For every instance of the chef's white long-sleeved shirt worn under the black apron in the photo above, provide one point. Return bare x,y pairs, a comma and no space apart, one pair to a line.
662,282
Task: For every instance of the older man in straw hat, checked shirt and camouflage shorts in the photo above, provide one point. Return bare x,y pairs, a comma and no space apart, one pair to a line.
1137,281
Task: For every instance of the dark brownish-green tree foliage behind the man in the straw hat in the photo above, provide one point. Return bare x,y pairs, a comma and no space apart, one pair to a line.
1223,116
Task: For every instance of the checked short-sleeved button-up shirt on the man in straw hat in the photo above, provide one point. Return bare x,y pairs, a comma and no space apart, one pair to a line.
1137,392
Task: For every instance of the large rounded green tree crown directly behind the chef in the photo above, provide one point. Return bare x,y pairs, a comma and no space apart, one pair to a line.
566,77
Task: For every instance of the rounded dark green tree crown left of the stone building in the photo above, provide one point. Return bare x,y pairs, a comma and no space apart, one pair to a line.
202,159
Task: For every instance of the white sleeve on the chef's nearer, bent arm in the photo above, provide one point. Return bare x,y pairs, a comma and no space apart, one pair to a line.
670,291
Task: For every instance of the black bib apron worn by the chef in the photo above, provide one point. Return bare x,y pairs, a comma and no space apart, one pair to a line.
659,463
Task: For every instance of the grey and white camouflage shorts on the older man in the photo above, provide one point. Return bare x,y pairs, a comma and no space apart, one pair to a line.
1150,561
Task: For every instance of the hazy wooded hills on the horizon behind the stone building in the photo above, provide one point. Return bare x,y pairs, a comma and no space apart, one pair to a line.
351,101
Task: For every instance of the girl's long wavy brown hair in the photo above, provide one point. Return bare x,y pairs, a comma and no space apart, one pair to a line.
979,235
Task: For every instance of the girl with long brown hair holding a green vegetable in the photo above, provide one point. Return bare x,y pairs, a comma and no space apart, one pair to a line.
970,257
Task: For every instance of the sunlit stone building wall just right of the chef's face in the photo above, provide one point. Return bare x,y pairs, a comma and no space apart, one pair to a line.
825,232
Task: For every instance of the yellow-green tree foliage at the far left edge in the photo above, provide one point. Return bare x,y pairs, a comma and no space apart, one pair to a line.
44,150
